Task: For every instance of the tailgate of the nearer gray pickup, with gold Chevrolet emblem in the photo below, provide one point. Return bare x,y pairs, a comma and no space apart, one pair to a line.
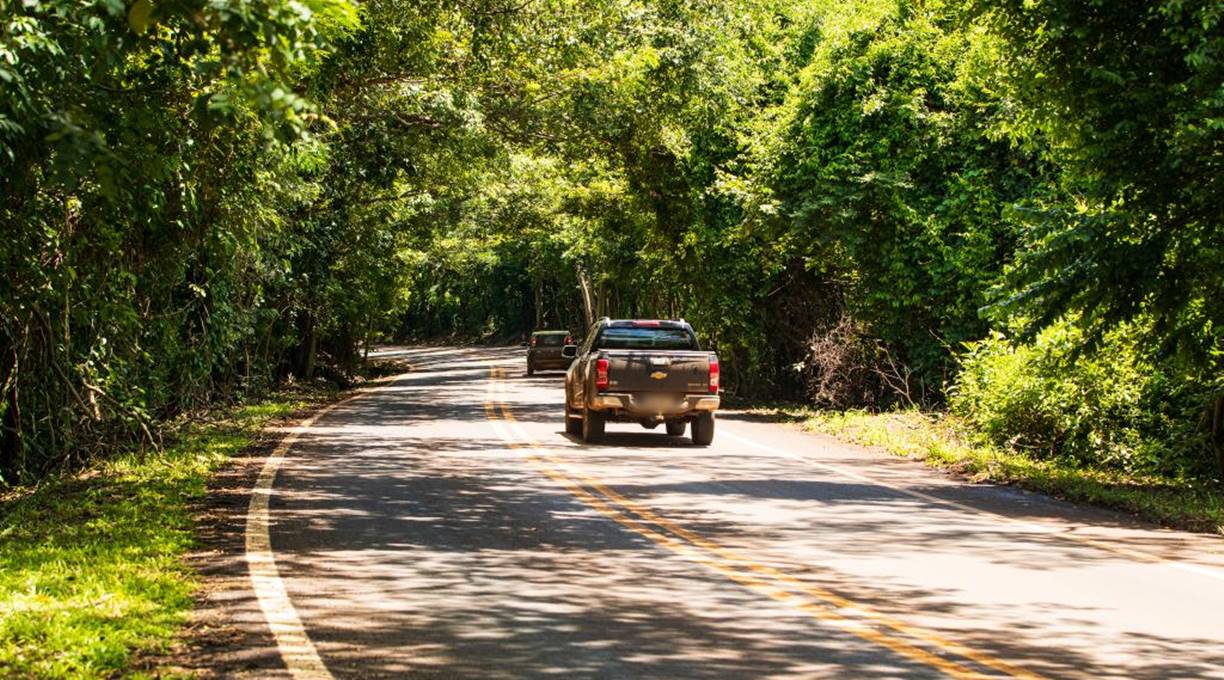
642,371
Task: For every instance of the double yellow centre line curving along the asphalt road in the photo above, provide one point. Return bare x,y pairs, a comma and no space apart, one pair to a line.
909,641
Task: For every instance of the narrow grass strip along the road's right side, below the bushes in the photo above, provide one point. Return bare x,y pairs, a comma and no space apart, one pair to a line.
943,441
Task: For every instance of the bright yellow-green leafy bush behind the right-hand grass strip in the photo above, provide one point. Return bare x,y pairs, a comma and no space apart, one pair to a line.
1118,408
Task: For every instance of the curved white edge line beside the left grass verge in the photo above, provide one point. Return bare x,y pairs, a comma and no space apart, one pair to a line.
296,646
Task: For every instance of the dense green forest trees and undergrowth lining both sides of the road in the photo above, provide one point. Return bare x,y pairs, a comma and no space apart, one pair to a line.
1017,205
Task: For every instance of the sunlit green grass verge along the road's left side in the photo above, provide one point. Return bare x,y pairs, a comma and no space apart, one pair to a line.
92,572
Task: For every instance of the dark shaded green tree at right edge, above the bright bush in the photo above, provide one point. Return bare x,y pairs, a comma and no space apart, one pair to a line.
1127,97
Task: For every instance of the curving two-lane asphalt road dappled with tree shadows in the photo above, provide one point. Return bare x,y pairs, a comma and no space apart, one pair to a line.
445,527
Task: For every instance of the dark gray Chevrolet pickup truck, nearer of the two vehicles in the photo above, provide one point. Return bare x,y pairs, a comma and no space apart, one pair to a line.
648,372
